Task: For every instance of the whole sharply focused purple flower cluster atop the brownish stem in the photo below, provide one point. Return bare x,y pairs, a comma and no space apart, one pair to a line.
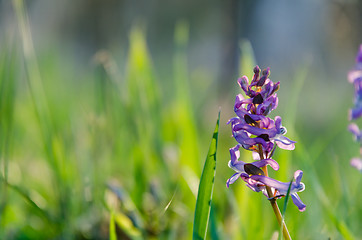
254,131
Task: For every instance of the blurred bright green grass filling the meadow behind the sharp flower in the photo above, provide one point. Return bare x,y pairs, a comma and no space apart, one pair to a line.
111,154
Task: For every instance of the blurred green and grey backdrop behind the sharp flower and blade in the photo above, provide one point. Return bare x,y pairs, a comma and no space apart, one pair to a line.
107,110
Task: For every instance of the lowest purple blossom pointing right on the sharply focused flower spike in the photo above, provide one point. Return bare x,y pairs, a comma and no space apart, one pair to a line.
281,189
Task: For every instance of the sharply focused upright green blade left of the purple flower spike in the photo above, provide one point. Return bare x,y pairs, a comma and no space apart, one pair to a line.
206,186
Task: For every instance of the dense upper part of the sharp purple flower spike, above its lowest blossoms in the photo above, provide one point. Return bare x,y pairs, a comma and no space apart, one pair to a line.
252,128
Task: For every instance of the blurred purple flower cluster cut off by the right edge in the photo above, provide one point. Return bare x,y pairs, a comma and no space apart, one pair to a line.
355,77
